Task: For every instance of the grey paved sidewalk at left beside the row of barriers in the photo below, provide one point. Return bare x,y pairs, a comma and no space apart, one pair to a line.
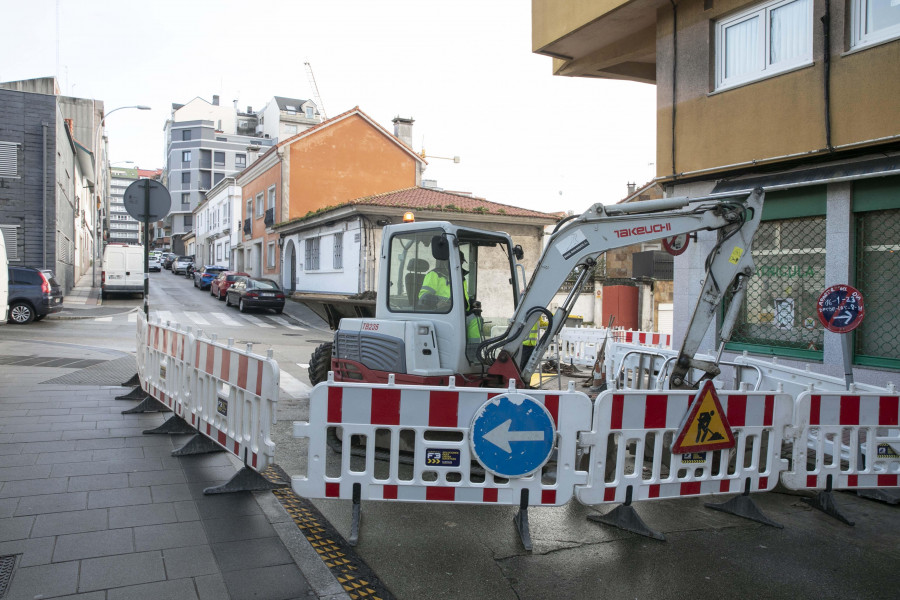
92,508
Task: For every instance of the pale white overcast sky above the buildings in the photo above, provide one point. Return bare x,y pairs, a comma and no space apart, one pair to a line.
463,69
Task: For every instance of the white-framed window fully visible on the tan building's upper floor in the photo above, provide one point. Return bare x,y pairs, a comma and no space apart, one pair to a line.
768,39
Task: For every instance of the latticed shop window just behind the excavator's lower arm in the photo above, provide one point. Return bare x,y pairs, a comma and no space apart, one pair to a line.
780,307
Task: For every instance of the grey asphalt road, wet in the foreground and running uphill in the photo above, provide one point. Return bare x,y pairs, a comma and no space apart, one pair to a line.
446,551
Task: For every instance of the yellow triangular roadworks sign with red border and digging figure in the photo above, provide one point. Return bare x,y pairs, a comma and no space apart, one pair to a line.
705,427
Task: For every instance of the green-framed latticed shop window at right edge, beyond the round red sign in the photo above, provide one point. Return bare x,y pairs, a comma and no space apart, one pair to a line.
877,274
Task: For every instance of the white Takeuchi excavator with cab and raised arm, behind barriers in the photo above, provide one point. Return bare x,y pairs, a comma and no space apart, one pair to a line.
452,301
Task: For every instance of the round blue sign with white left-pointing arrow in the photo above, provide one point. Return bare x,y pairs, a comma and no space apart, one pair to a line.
512,435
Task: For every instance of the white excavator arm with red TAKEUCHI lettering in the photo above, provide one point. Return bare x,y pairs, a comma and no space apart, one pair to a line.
576,245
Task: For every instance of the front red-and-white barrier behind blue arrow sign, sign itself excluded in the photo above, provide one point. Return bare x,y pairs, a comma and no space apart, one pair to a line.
436,422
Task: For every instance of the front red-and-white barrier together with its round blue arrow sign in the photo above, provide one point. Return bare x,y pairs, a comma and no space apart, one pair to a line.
415,444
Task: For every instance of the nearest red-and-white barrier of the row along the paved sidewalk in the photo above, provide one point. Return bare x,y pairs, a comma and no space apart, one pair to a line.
235,400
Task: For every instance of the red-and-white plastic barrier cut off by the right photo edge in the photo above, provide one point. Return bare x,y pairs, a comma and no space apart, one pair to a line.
850,438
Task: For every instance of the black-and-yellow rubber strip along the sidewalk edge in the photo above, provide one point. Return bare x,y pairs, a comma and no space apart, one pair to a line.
352,573
